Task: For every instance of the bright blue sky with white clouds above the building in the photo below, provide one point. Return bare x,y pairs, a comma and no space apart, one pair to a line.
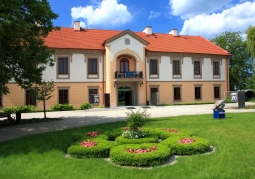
191,17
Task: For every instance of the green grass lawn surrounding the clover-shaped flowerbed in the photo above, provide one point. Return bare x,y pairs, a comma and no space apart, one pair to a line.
42,155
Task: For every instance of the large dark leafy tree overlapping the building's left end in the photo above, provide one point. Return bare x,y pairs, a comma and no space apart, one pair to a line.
24,24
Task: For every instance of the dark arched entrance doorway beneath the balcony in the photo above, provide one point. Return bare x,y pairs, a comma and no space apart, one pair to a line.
124,96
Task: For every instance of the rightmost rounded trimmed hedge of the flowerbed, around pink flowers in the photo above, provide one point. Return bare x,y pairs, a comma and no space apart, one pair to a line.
199,146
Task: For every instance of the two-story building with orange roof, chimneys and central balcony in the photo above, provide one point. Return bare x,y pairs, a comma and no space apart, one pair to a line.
112,68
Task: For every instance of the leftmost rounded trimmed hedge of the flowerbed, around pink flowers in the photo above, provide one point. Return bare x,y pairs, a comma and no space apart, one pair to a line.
102,149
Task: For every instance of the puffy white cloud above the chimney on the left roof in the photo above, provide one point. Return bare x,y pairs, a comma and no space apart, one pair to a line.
107,13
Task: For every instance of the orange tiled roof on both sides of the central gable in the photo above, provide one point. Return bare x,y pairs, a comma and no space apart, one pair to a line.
94,39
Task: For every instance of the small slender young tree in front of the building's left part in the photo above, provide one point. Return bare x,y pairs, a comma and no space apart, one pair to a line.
43,92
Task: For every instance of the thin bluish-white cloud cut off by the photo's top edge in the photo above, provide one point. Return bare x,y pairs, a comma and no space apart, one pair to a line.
190,8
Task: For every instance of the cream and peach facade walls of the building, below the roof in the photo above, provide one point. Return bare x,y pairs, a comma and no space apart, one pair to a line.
109,78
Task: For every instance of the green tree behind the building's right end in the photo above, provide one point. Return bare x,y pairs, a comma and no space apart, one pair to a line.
240,63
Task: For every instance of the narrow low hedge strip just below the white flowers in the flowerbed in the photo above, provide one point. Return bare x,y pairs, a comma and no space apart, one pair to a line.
122,140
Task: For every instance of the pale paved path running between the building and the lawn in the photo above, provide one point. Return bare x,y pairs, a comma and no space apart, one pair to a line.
79,118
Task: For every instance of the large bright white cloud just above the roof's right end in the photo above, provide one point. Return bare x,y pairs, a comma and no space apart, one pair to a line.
237,18
